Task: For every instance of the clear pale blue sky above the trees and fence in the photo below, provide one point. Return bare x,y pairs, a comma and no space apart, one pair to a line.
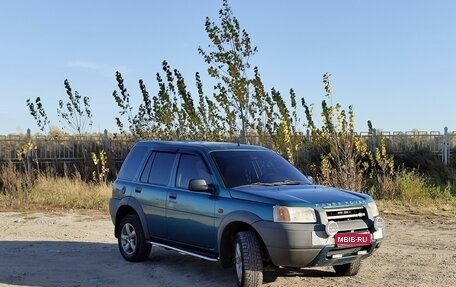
394,61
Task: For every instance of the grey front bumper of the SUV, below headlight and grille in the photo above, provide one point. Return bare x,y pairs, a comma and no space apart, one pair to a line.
306,245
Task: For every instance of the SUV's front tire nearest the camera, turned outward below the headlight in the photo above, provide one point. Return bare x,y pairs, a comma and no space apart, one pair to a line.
248,263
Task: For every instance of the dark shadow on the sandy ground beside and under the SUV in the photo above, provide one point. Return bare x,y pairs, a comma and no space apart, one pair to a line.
77,264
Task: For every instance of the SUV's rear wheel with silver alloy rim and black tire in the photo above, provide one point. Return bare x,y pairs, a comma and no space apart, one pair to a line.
131,240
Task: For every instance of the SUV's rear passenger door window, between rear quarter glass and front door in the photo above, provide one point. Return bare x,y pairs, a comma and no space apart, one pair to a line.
162,165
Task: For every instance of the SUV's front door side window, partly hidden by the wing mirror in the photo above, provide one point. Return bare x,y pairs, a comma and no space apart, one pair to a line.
191,167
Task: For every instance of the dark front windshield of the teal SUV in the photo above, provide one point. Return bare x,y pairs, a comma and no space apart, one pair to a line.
240,168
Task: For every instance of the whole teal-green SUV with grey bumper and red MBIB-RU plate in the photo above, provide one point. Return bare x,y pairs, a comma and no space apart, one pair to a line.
242,205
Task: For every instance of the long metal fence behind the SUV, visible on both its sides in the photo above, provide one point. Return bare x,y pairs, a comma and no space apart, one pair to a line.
76,150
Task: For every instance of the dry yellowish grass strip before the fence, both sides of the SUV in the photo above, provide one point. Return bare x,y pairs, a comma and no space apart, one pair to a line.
48,192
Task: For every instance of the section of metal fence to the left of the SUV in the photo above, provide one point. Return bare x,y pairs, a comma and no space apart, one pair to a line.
64,153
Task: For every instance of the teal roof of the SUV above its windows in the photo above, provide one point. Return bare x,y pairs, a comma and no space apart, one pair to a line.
200,145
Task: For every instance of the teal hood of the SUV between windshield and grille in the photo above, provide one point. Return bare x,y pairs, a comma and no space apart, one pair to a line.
301,195
